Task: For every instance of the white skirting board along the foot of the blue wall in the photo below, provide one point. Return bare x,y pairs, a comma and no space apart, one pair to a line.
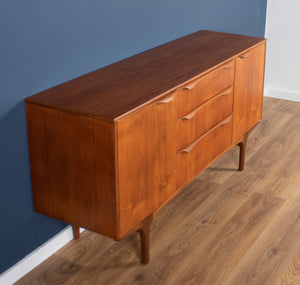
36,257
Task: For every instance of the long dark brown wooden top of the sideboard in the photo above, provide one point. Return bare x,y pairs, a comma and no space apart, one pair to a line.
117,89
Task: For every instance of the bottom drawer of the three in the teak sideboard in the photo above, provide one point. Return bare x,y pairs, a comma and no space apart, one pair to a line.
197,156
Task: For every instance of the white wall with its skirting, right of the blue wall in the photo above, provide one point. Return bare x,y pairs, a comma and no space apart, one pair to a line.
282,78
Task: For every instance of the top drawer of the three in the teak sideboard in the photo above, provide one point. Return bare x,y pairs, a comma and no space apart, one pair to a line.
202,89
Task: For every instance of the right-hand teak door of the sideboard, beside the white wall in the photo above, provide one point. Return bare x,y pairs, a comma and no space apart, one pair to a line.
249,80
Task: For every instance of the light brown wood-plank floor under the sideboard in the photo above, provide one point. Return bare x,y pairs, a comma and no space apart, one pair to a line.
226,227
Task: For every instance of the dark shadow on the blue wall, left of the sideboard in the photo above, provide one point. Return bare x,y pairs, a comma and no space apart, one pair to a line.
17,216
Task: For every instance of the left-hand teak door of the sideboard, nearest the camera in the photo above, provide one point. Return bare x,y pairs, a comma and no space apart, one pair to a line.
146,161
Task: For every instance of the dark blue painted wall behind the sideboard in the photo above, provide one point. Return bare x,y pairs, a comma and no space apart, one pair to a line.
44,43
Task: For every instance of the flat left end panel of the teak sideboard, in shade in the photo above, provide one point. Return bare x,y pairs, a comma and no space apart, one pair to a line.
73,168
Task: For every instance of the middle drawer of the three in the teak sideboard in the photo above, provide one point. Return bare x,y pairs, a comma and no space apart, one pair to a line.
195,123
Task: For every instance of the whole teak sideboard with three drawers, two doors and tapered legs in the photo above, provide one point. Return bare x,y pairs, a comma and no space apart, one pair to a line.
109,149
